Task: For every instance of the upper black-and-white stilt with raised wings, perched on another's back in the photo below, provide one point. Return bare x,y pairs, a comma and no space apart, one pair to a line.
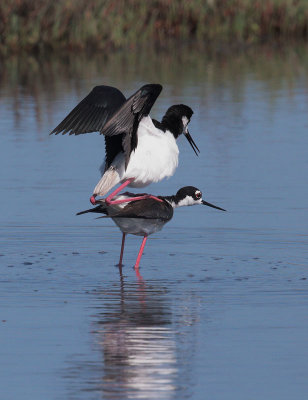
139,150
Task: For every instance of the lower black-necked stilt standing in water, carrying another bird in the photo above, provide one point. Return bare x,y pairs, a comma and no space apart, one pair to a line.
147,216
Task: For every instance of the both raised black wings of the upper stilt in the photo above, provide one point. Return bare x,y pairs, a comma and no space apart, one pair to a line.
106,109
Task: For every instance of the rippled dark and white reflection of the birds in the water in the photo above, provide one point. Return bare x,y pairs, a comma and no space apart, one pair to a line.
138,346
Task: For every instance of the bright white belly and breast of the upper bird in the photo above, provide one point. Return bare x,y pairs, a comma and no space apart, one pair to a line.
155,158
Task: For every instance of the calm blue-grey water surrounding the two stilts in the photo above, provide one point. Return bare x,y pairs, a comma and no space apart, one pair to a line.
220,309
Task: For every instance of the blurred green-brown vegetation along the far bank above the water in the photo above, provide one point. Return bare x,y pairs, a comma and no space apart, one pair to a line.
108,25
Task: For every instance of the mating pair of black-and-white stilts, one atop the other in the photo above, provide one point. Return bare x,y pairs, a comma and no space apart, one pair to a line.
139,151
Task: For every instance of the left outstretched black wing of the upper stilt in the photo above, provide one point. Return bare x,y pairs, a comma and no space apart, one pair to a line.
92,113
